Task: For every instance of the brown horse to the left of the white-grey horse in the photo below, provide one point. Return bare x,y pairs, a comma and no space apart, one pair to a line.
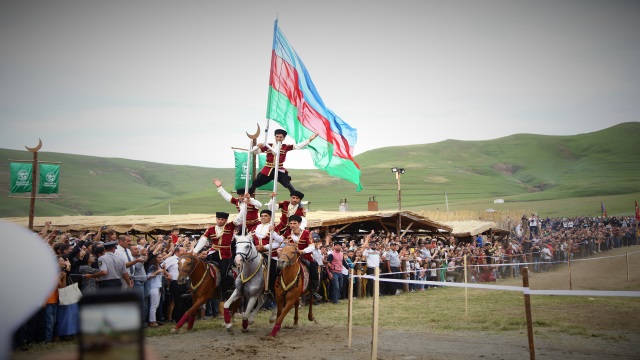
205,283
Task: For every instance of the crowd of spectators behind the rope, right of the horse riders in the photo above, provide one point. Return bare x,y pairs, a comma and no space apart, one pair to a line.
539,245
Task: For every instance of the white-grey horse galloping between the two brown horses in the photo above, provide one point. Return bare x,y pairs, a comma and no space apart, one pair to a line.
249,283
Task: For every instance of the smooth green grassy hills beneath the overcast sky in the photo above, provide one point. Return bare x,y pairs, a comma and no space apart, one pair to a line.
553,175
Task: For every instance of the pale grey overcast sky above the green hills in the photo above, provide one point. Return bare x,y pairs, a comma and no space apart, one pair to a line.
180,82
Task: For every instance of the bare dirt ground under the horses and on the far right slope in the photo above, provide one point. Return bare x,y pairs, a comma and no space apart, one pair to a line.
323,342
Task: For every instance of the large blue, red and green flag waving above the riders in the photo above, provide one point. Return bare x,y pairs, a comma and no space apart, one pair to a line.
295,104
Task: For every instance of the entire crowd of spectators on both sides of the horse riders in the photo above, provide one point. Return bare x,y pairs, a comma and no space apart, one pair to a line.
415,257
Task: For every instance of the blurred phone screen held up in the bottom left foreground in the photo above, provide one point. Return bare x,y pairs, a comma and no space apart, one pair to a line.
111,331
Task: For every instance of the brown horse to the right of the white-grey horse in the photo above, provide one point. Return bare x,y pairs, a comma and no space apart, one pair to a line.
291,284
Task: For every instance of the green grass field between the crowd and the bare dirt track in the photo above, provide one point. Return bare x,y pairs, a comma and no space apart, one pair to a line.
612,320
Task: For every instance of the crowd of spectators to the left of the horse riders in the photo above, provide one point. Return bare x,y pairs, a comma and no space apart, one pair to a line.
78,256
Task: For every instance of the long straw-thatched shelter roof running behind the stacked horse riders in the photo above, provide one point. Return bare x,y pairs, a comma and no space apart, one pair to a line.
348,222
